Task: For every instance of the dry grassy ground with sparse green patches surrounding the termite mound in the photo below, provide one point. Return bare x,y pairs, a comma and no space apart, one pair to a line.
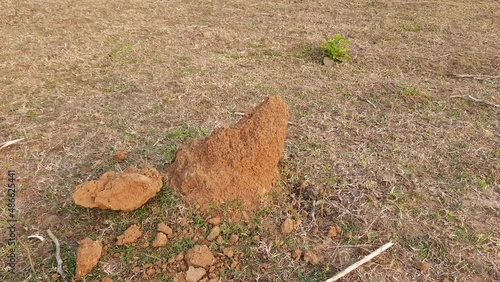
386,146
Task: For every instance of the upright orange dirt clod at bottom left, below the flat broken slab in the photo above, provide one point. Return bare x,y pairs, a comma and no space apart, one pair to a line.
88,254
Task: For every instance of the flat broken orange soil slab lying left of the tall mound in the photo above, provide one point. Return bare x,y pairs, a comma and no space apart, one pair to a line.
119,191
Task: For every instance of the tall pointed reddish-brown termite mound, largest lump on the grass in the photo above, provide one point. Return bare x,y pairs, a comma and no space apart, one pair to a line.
233,163
